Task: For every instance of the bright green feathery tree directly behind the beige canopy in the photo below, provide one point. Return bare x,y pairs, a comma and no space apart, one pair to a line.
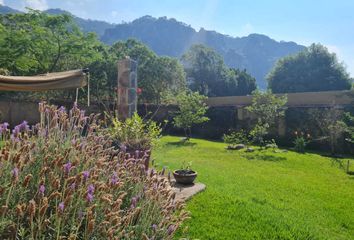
38,43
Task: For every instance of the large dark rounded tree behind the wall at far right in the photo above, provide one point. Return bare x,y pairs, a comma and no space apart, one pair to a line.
313,69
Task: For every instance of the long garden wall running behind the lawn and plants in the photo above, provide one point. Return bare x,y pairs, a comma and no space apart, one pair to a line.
225,113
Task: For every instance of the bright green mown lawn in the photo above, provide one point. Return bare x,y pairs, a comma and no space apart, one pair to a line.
263,195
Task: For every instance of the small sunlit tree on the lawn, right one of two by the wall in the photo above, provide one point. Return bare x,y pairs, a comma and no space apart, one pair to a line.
267,107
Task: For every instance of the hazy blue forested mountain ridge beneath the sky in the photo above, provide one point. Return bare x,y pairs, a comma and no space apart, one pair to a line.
256,53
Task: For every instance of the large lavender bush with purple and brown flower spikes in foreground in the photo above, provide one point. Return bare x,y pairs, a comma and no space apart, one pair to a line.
62,180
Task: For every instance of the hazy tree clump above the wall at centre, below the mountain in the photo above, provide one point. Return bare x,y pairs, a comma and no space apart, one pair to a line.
209,75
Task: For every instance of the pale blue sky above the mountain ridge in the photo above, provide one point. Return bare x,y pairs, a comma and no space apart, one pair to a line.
303,21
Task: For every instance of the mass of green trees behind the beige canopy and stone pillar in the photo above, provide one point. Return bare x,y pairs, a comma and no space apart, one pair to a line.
36,43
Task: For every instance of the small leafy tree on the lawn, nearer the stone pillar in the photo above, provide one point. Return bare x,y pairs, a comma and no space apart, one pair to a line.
192,110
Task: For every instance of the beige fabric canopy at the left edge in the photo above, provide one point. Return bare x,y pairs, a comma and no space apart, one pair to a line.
50,81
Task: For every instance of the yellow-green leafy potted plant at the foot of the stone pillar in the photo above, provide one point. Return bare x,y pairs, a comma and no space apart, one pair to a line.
134,133
